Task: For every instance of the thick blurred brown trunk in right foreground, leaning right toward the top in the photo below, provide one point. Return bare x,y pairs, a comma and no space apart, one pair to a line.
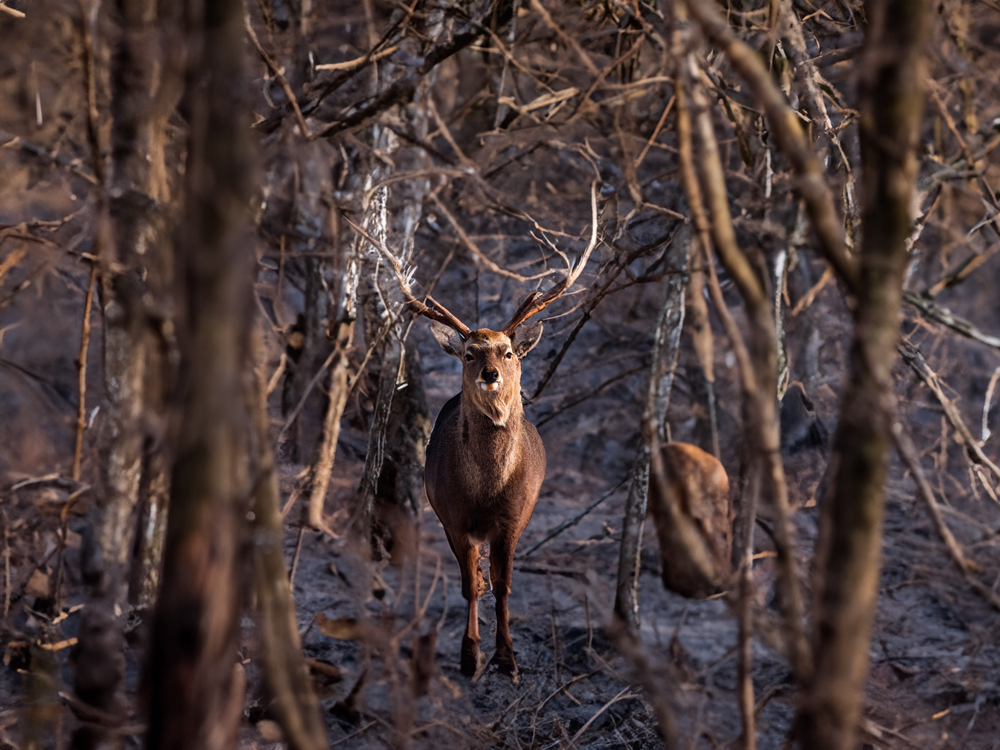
849,556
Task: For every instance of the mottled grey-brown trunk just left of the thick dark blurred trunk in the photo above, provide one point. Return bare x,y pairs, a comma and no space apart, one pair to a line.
134,270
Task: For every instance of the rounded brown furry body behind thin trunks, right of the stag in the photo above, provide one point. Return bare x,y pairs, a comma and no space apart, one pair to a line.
689,500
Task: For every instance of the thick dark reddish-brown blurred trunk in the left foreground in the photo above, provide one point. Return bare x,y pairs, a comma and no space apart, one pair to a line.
194,684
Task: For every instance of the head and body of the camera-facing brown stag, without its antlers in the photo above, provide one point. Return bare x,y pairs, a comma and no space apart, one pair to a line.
485,466
